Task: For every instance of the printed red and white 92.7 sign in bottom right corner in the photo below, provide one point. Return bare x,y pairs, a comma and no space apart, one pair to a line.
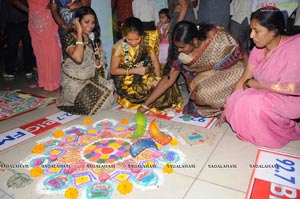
275,176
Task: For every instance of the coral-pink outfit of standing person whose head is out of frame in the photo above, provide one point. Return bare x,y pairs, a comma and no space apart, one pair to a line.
45,43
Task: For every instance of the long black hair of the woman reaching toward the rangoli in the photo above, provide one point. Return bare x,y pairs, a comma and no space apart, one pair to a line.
185,32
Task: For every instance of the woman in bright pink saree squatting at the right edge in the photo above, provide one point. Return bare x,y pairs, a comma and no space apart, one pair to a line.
264,109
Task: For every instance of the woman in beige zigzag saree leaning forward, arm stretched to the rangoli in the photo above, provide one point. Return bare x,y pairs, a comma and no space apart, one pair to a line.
211,61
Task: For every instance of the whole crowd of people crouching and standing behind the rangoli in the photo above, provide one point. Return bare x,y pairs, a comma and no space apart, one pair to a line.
257,93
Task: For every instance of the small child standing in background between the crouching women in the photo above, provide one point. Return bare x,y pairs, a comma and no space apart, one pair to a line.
163,28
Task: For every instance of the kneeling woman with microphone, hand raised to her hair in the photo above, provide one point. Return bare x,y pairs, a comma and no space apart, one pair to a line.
78,95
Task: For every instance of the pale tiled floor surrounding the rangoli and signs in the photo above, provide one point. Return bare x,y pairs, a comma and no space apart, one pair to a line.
199,182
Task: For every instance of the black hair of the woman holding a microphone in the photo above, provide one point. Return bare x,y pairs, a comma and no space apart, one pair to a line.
86,10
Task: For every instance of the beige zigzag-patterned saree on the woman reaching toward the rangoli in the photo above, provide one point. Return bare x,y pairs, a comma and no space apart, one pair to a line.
218,68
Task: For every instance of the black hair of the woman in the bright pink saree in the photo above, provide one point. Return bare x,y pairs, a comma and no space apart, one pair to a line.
270,18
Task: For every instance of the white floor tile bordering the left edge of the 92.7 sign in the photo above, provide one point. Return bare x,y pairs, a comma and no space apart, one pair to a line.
231,152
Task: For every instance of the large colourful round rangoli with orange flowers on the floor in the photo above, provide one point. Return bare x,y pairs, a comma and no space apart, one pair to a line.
97,158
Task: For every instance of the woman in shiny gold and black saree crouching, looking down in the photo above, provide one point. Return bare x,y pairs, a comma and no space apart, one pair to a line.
136,71
